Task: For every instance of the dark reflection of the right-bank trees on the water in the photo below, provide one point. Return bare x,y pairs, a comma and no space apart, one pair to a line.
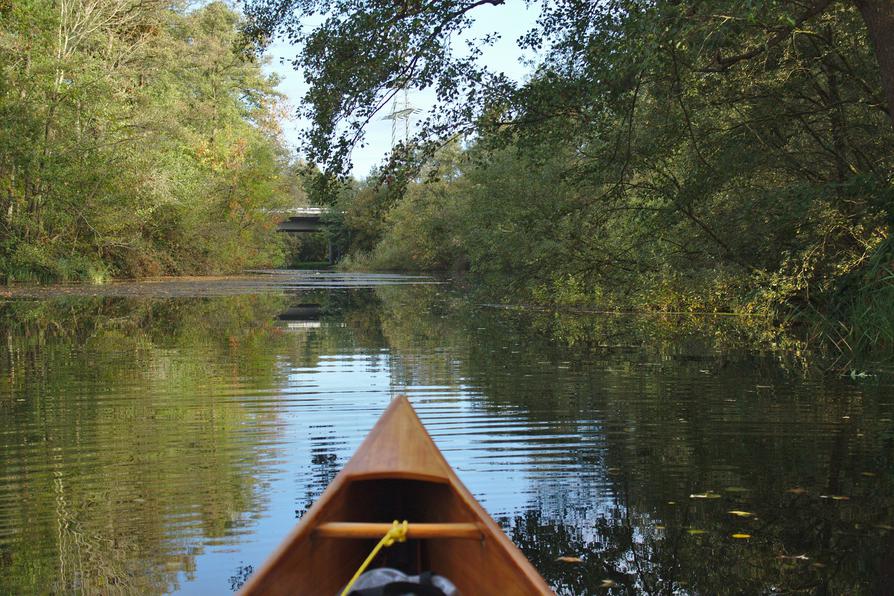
657,415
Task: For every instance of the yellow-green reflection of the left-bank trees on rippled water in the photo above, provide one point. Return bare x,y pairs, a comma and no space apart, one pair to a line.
121,449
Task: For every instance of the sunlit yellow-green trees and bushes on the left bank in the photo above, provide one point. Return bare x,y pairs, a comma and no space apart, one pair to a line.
134,141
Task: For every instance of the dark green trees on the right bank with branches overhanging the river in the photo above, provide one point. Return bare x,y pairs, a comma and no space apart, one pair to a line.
719,157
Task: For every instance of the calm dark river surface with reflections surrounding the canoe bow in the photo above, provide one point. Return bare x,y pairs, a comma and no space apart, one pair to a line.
165,437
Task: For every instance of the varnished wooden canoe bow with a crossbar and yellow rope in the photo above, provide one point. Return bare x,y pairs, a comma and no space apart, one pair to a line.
397,473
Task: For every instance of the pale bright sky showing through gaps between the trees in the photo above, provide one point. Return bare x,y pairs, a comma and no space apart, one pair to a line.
511,20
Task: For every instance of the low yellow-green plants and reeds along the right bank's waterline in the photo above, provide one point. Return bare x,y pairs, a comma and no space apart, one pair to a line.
846,330
